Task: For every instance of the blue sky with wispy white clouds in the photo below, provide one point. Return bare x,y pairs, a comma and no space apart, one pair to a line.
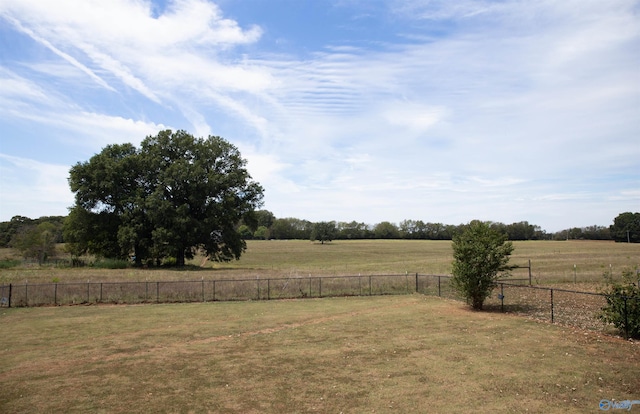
433,110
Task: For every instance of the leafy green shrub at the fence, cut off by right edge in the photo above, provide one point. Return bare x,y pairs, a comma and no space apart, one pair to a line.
623,304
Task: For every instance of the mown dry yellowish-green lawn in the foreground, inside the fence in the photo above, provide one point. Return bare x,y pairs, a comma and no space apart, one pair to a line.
377,354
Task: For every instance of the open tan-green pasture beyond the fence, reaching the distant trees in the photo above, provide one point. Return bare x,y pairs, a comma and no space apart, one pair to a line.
552,262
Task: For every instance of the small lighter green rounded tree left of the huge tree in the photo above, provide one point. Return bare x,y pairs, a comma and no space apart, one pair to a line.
36,242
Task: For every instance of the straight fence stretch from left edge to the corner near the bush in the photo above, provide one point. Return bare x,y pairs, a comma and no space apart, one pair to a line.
44,294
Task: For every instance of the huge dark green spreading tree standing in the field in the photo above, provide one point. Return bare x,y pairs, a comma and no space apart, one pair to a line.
173,196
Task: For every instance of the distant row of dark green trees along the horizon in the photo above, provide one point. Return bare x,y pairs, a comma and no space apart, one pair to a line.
264,225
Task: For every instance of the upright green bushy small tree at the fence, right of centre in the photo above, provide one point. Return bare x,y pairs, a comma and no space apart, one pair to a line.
480,255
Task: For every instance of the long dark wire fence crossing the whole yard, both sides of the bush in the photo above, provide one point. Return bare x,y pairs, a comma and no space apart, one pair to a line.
574,308
